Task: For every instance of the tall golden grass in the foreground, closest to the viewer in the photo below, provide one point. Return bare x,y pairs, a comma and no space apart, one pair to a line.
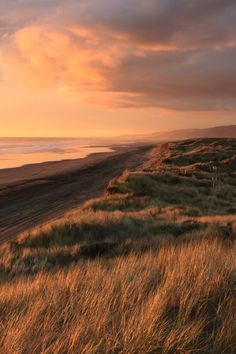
178,300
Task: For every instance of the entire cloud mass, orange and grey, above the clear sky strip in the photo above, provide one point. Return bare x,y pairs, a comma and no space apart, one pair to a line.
176,54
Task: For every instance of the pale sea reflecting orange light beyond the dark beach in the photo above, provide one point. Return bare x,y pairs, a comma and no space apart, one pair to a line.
16,152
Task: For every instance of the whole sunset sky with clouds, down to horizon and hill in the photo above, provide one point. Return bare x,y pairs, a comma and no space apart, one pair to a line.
113,67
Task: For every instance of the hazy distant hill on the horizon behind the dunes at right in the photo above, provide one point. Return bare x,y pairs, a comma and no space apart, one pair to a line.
227,131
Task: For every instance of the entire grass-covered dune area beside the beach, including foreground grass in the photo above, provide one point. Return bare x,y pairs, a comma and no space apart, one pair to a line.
149,267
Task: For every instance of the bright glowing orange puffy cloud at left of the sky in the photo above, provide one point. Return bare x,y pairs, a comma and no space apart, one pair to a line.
47,56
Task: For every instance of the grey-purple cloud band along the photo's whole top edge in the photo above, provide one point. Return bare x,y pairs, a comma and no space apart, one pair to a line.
177,22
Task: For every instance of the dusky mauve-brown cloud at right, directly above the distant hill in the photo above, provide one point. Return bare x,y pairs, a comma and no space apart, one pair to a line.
189,80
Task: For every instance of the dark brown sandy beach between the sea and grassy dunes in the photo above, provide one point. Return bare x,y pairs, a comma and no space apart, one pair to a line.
35,194
